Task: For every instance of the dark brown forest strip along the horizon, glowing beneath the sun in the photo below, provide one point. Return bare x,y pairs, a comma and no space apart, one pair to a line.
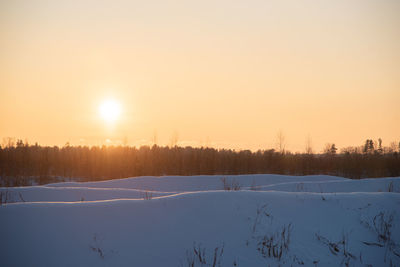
22,163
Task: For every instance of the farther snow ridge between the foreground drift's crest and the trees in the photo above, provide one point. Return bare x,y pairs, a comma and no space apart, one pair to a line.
146,187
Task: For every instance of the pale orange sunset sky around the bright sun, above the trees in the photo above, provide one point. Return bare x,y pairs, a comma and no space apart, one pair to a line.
226,74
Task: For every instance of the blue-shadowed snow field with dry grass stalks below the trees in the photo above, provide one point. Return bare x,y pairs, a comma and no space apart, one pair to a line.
165,221
